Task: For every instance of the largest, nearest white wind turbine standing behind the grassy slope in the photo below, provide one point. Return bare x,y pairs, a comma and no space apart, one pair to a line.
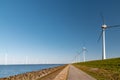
104,27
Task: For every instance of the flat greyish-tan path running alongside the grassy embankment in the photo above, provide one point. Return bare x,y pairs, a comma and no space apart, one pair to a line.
76,74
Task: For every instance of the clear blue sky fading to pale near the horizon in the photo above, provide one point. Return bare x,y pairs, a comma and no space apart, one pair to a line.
52,31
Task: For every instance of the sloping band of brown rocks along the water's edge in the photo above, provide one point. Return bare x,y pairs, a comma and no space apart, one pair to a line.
33,75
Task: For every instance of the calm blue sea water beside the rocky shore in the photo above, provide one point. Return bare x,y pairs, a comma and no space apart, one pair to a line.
10,70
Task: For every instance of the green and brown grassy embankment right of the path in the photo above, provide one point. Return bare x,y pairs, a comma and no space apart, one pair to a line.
108,69
